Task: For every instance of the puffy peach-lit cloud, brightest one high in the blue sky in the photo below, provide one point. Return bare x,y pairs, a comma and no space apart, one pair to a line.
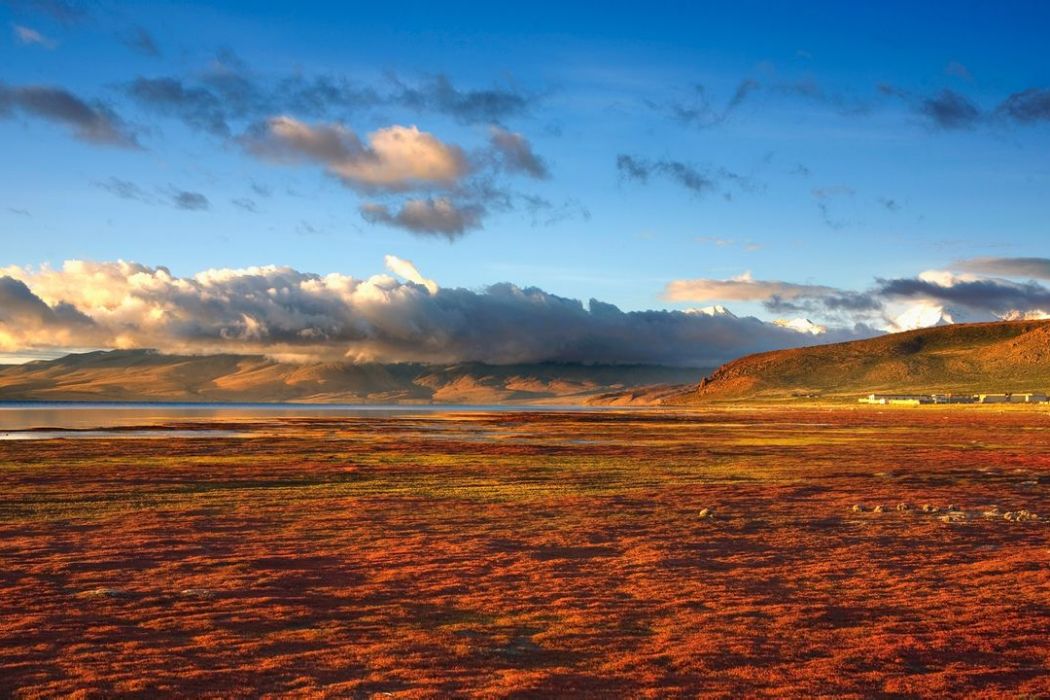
395,159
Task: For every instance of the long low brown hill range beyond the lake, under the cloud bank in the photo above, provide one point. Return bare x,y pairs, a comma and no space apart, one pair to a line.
150,376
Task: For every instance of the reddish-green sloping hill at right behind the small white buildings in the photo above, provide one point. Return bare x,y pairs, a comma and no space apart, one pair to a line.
1009,356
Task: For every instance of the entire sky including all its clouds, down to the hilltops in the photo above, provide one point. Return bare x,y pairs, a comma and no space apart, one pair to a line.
658,183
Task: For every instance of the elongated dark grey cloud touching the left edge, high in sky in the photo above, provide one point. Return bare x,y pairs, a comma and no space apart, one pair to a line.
92,123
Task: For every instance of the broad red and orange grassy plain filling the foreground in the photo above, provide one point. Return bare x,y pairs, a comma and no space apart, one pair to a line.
532,555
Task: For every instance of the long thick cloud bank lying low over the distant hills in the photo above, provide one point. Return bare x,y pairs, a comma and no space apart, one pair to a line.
281,311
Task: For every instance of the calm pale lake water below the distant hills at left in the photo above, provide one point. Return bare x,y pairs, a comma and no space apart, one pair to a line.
76,416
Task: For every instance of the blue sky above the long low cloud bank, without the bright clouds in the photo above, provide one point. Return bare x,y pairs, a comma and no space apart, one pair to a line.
812,144
